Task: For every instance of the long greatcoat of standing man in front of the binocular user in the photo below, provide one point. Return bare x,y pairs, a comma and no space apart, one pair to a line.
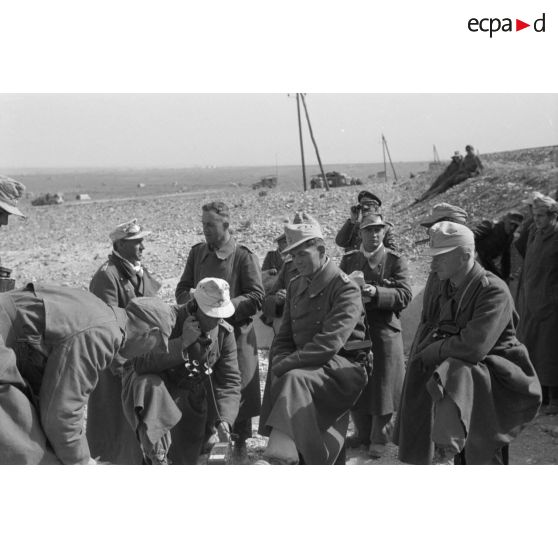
387,270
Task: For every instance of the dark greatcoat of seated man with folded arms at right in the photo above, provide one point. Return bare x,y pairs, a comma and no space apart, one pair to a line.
478,363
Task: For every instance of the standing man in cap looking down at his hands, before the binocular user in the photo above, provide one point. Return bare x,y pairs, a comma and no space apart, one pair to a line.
385,285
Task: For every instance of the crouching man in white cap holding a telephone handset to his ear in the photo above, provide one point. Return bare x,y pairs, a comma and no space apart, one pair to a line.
178,402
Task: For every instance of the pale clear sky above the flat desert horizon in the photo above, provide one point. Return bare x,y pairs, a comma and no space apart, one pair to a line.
183,130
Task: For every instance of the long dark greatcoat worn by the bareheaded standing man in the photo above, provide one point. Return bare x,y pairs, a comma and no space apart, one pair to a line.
237,265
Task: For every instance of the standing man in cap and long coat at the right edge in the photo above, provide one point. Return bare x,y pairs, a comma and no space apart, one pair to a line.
539,302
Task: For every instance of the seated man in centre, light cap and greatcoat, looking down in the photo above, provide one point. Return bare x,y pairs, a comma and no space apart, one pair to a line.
313,379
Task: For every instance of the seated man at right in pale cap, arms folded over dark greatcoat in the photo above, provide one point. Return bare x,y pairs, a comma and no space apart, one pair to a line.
470,387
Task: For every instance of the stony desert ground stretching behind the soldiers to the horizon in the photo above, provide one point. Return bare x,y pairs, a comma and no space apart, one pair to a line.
65,244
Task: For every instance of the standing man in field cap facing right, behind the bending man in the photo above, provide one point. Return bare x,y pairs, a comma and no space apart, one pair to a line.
120,279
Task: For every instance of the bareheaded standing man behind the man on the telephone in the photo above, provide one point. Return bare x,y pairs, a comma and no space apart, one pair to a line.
220,256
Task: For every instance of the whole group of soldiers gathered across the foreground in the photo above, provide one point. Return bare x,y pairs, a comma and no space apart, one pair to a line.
116,375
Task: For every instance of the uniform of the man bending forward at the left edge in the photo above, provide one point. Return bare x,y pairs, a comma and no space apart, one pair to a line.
54,342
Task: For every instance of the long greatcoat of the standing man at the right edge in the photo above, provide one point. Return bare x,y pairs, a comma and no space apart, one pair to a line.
538,324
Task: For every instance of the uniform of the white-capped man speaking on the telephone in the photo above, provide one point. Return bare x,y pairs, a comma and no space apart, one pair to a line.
160,400
